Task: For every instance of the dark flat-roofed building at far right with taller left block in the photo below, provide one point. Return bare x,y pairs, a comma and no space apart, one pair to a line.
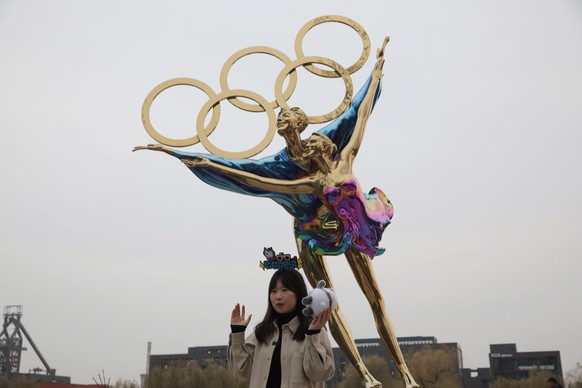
506,361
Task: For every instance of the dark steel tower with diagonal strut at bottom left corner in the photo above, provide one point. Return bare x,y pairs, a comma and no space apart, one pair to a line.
11,343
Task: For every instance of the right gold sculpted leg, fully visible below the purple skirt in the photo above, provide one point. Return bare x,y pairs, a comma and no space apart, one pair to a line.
361,266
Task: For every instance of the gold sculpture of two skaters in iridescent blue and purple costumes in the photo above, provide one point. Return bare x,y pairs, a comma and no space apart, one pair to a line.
313,180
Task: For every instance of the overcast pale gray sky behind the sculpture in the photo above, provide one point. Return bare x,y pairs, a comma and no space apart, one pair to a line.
476,139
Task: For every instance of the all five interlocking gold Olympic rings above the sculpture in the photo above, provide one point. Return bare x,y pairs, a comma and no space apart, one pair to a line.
263,105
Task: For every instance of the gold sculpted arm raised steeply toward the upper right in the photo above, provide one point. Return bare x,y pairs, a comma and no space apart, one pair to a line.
350,151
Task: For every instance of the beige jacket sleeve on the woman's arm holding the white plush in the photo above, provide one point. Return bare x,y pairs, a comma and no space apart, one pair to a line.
318,362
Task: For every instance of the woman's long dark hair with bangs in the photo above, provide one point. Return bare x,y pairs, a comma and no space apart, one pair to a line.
291,279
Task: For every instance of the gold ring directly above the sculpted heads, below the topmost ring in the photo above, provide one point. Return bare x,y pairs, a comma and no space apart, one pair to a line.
323,61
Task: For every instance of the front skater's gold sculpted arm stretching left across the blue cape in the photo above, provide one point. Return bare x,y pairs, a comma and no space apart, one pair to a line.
295,186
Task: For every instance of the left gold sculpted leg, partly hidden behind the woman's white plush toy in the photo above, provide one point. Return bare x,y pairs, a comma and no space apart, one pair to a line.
315,268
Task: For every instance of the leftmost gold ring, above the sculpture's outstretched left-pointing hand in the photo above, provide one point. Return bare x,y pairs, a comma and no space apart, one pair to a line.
147,104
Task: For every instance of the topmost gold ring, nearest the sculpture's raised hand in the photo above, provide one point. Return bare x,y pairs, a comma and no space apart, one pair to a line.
338,19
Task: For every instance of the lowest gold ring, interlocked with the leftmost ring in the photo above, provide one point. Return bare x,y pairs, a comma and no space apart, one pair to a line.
215,100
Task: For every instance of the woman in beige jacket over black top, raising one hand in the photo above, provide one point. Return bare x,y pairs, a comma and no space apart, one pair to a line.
285,349
